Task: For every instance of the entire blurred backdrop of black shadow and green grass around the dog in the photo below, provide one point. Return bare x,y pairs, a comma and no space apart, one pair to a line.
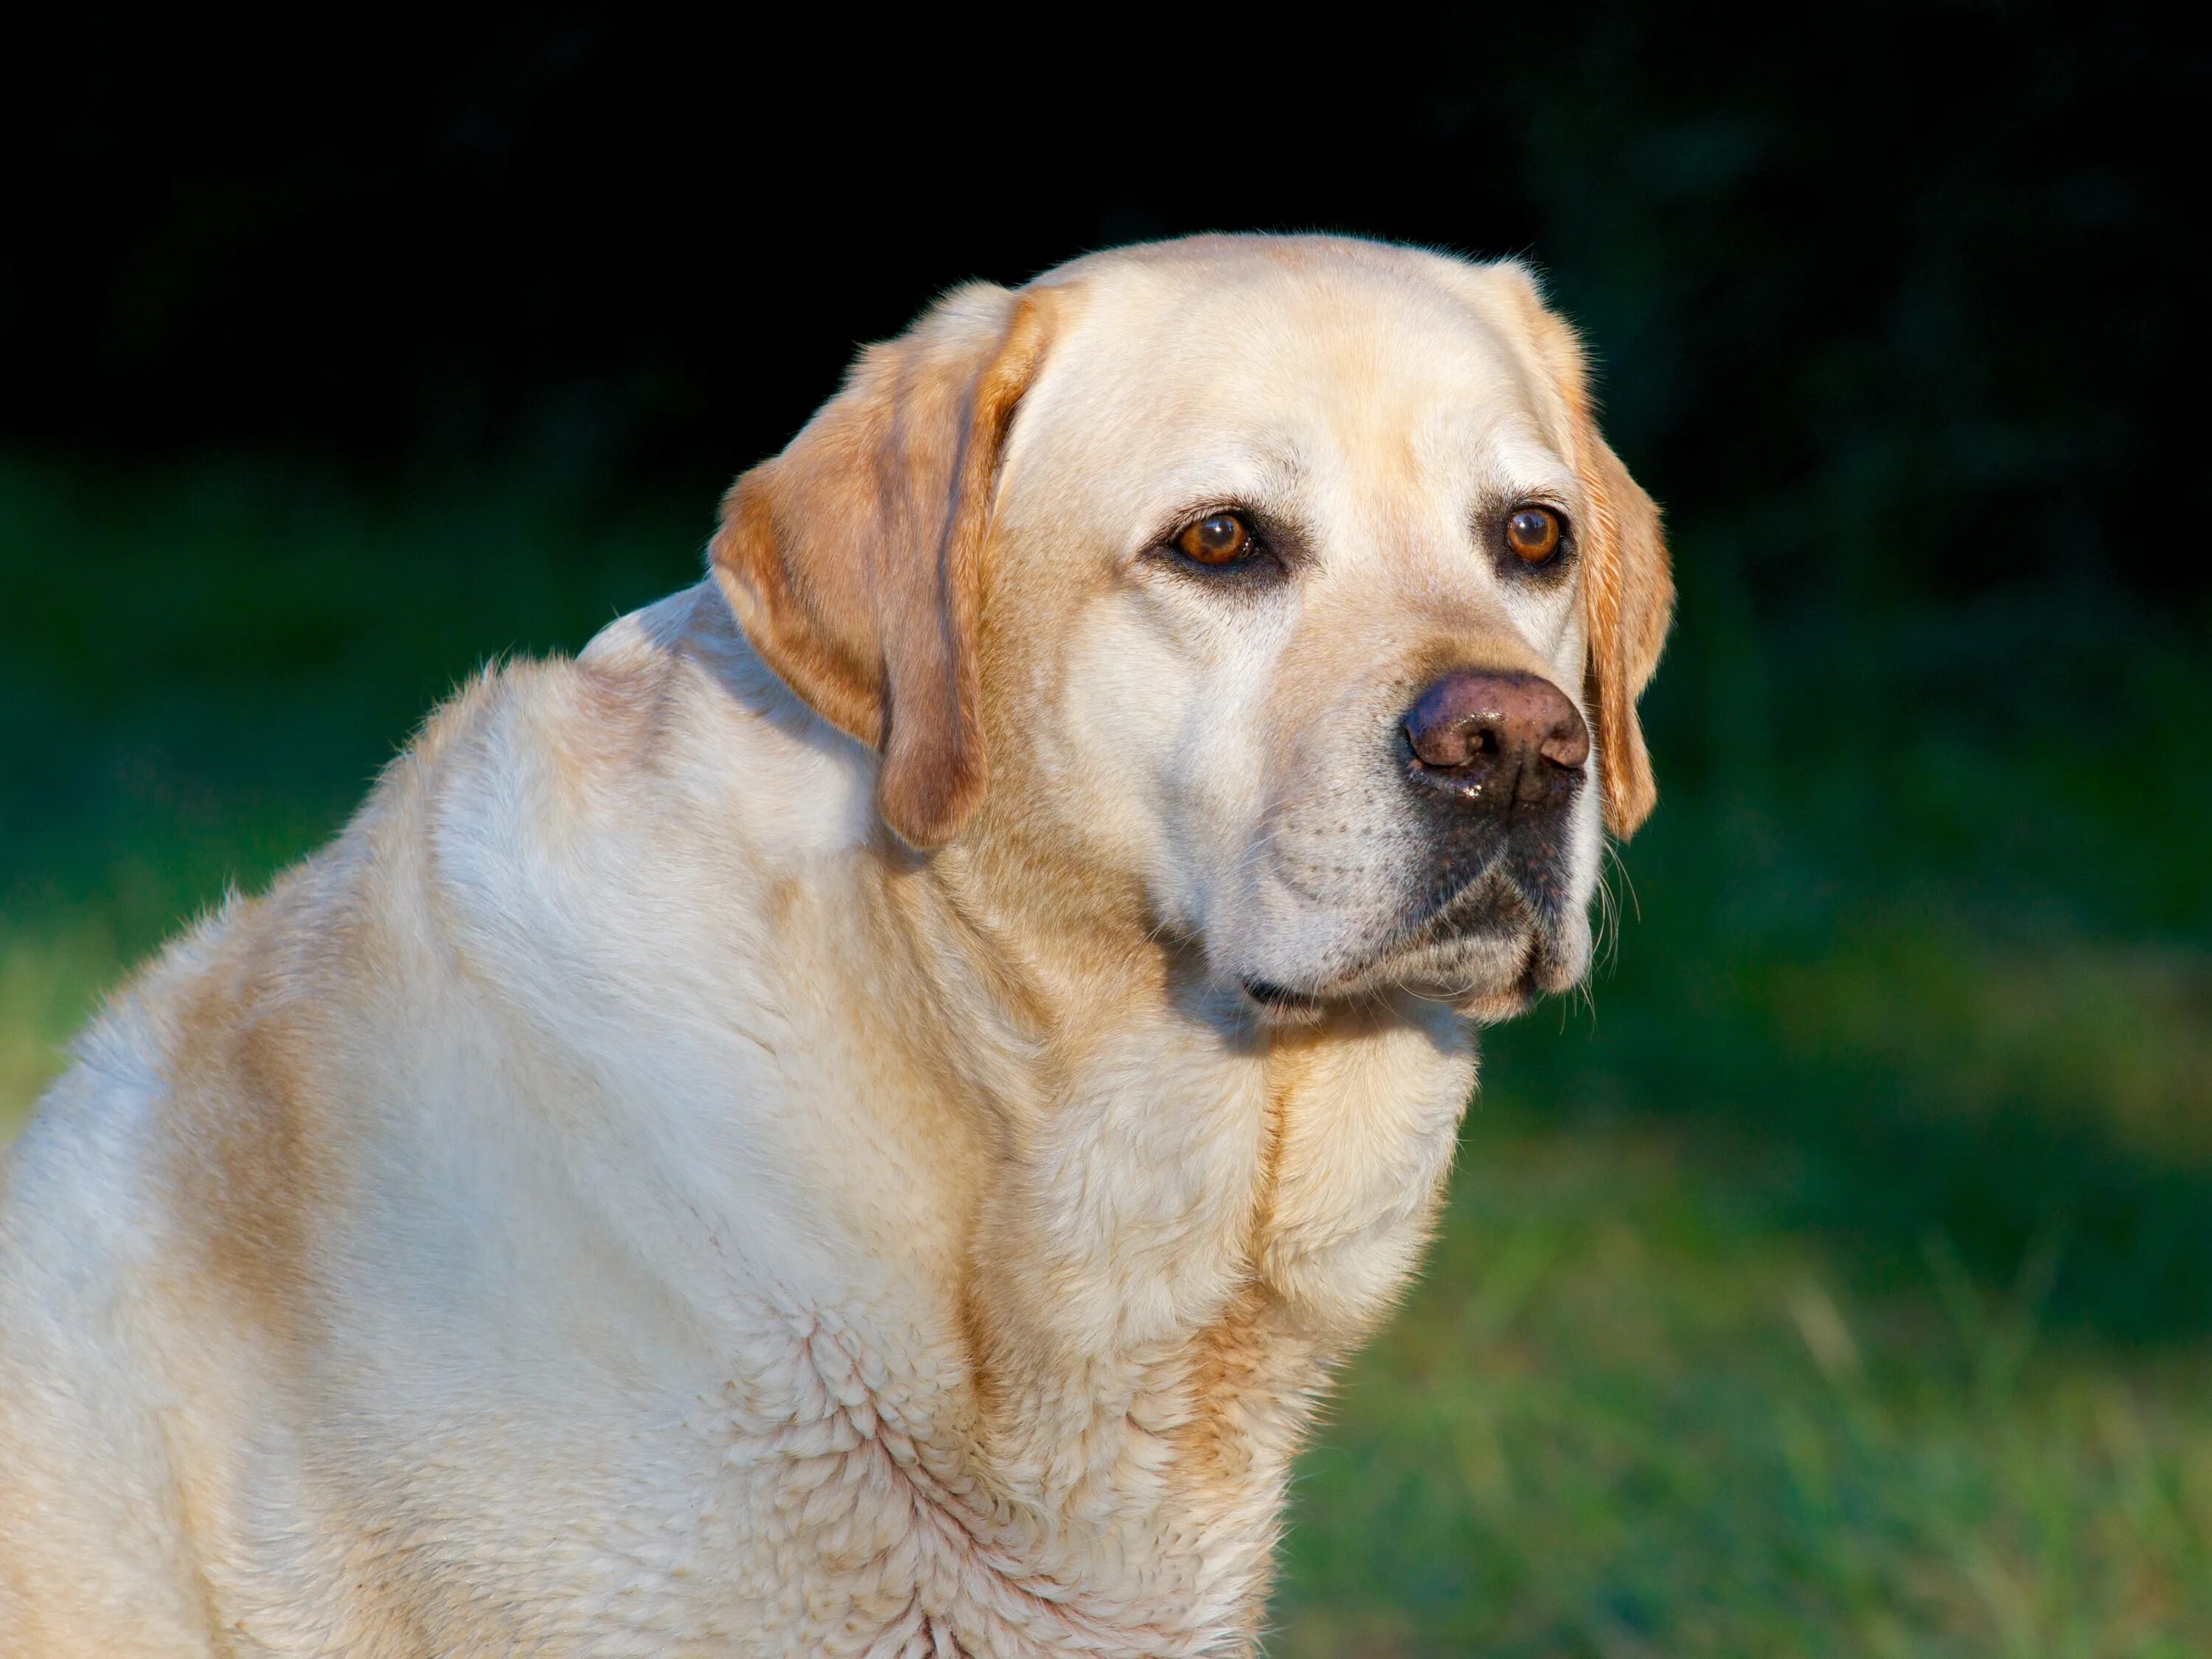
1839,1275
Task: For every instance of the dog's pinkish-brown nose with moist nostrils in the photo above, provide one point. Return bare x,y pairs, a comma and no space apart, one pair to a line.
1496,738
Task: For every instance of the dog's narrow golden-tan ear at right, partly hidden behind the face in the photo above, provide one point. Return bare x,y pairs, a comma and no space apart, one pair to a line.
1627,578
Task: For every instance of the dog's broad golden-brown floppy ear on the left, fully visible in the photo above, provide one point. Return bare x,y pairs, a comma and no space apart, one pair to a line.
855,559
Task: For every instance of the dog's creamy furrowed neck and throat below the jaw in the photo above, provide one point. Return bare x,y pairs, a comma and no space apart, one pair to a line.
1189,1218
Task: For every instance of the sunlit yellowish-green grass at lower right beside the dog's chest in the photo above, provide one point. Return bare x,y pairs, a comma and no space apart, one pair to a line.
1627,1415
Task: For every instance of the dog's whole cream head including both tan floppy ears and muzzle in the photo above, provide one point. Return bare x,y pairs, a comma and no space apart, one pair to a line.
1282,583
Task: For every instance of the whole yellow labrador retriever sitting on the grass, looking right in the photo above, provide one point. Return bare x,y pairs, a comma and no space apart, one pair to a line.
862,1114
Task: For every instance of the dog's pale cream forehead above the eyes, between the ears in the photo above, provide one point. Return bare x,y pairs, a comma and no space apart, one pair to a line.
1295,344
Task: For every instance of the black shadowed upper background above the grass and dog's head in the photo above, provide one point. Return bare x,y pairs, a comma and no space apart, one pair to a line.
1901,295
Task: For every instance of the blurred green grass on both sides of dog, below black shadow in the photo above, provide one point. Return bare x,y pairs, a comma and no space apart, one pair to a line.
1837,1282
